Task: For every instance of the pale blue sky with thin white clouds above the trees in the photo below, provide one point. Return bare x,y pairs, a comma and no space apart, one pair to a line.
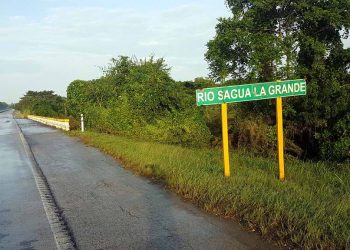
46,44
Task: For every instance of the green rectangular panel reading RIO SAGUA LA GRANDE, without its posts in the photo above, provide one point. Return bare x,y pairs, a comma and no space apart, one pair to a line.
250,92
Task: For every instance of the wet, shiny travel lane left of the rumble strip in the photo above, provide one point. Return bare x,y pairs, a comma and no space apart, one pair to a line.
23,222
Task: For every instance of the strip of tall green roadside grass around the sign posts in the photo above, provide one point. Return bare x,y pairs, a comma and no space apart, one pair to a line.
311,209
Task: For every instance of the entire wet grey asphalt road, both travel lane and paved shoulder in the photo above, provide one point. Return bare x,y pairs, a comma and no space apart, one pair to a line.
103,205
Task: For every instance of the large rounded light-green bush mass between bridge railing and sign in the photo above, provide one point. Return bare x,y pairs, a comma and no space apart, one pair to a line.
139,98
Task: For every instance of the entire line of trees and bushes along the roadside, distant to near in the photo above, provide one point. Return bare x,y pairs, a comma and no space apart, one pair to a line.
261,41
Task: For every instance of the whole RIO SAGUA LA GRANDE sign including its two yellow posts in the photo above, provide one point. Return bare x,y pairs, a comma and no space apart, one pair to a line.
252,92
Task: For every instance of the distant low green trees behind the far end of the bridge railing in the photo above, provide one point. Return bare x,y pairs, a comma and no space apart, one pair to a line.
42,103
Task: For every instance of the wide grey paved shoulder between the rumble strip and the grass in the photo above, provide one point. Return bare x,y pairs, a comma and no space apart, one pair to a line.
108,207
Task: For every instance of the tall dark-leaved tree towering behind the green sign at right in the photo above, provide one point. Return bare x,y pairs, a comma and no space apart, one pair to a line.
277,40
